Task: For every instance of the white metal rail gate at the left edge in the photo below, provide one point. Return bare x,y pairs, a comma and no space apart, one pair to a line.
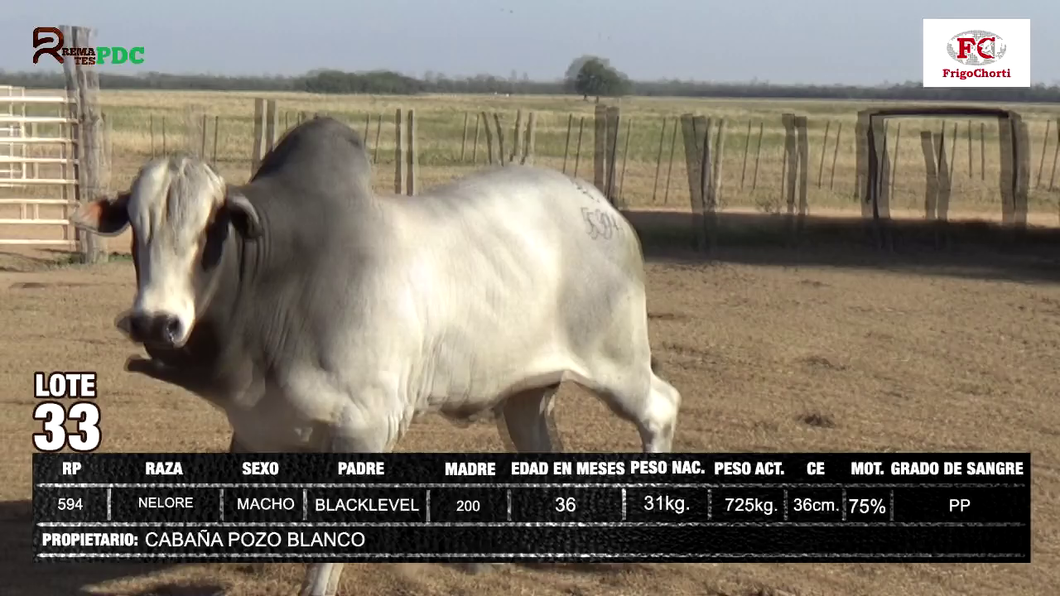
39,174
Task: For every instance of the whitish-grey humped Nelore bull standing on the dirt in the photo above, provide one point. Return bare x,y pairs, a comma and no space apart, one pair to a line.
321,318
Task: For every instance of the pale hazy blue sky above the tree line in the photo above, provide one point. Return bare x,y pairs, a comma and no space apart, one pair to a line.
821,42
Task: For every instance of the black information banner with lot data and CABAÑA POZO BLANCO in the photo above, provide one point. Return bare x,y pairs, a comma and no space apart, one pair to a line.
533,507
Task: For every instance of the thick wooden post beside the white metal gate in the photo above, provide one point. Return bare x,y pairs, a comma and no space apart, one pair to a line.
92,172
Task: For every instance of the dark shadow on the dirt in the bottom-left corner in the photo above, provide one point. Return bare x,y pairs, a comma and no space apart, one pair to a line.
21,575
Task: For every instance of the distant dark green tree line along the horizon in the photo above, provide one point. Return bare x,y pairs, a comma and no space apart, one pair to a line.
590,77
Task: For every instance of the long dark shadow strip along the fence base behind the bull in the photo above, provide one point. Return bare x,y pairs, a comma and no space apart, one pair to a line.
969,250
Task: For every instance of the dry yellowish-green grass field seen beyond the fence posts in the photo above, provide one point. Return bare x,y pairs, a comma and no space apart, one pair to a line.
137,120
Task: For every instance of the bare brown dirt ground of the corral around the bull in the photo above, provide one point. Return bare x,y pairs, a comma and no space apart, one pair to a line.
877,355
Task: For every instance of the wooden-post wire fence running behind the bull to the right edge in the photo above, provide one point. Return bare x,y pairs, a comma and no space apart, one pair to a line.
788,167
